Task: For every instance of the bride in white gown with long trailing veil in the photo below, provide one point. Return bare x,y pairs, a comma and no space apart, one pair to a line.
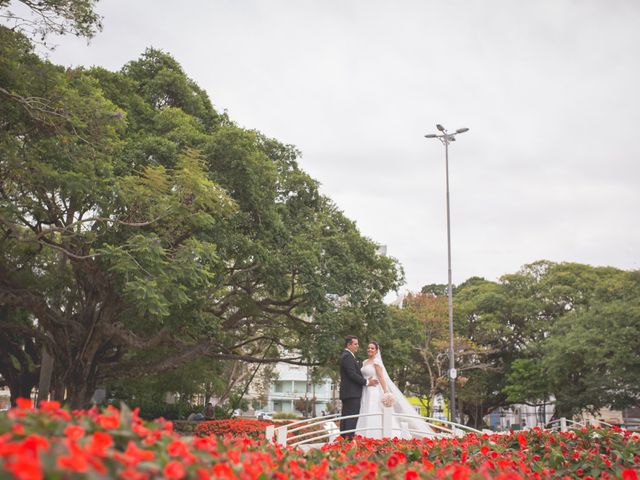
372,402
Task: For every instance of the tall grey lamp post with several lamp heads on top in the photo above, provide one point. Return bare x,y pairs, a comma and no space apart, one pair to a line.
446,139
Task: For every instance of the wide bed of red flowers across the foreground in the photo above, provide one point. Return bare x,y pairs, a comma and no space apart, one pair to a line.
56,444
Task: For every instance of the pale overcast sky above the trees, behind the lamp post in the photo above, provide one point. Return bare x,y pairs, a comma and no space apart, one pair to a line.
549,89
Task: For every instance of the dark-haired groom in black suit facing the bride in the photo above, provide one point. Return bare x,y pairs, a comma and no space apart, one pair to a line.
351,383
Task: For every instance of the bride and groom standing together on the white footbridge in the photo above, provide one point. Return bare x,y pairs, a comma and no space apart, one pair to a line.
366,390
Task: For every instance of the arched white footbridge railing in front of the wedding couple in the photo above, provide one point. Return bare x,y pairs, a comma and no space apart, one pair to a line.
297,433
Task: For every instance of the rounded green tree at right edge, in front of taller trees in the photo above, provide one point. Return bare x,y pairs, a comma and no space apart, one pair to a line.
591,359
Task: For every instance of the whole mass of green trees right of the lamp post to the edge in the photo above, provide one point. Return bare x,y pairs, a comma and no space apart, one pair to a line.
540,333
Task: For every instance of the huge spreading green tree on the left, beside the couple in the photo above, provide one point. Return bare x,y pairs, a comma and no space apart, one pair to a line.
142,230
